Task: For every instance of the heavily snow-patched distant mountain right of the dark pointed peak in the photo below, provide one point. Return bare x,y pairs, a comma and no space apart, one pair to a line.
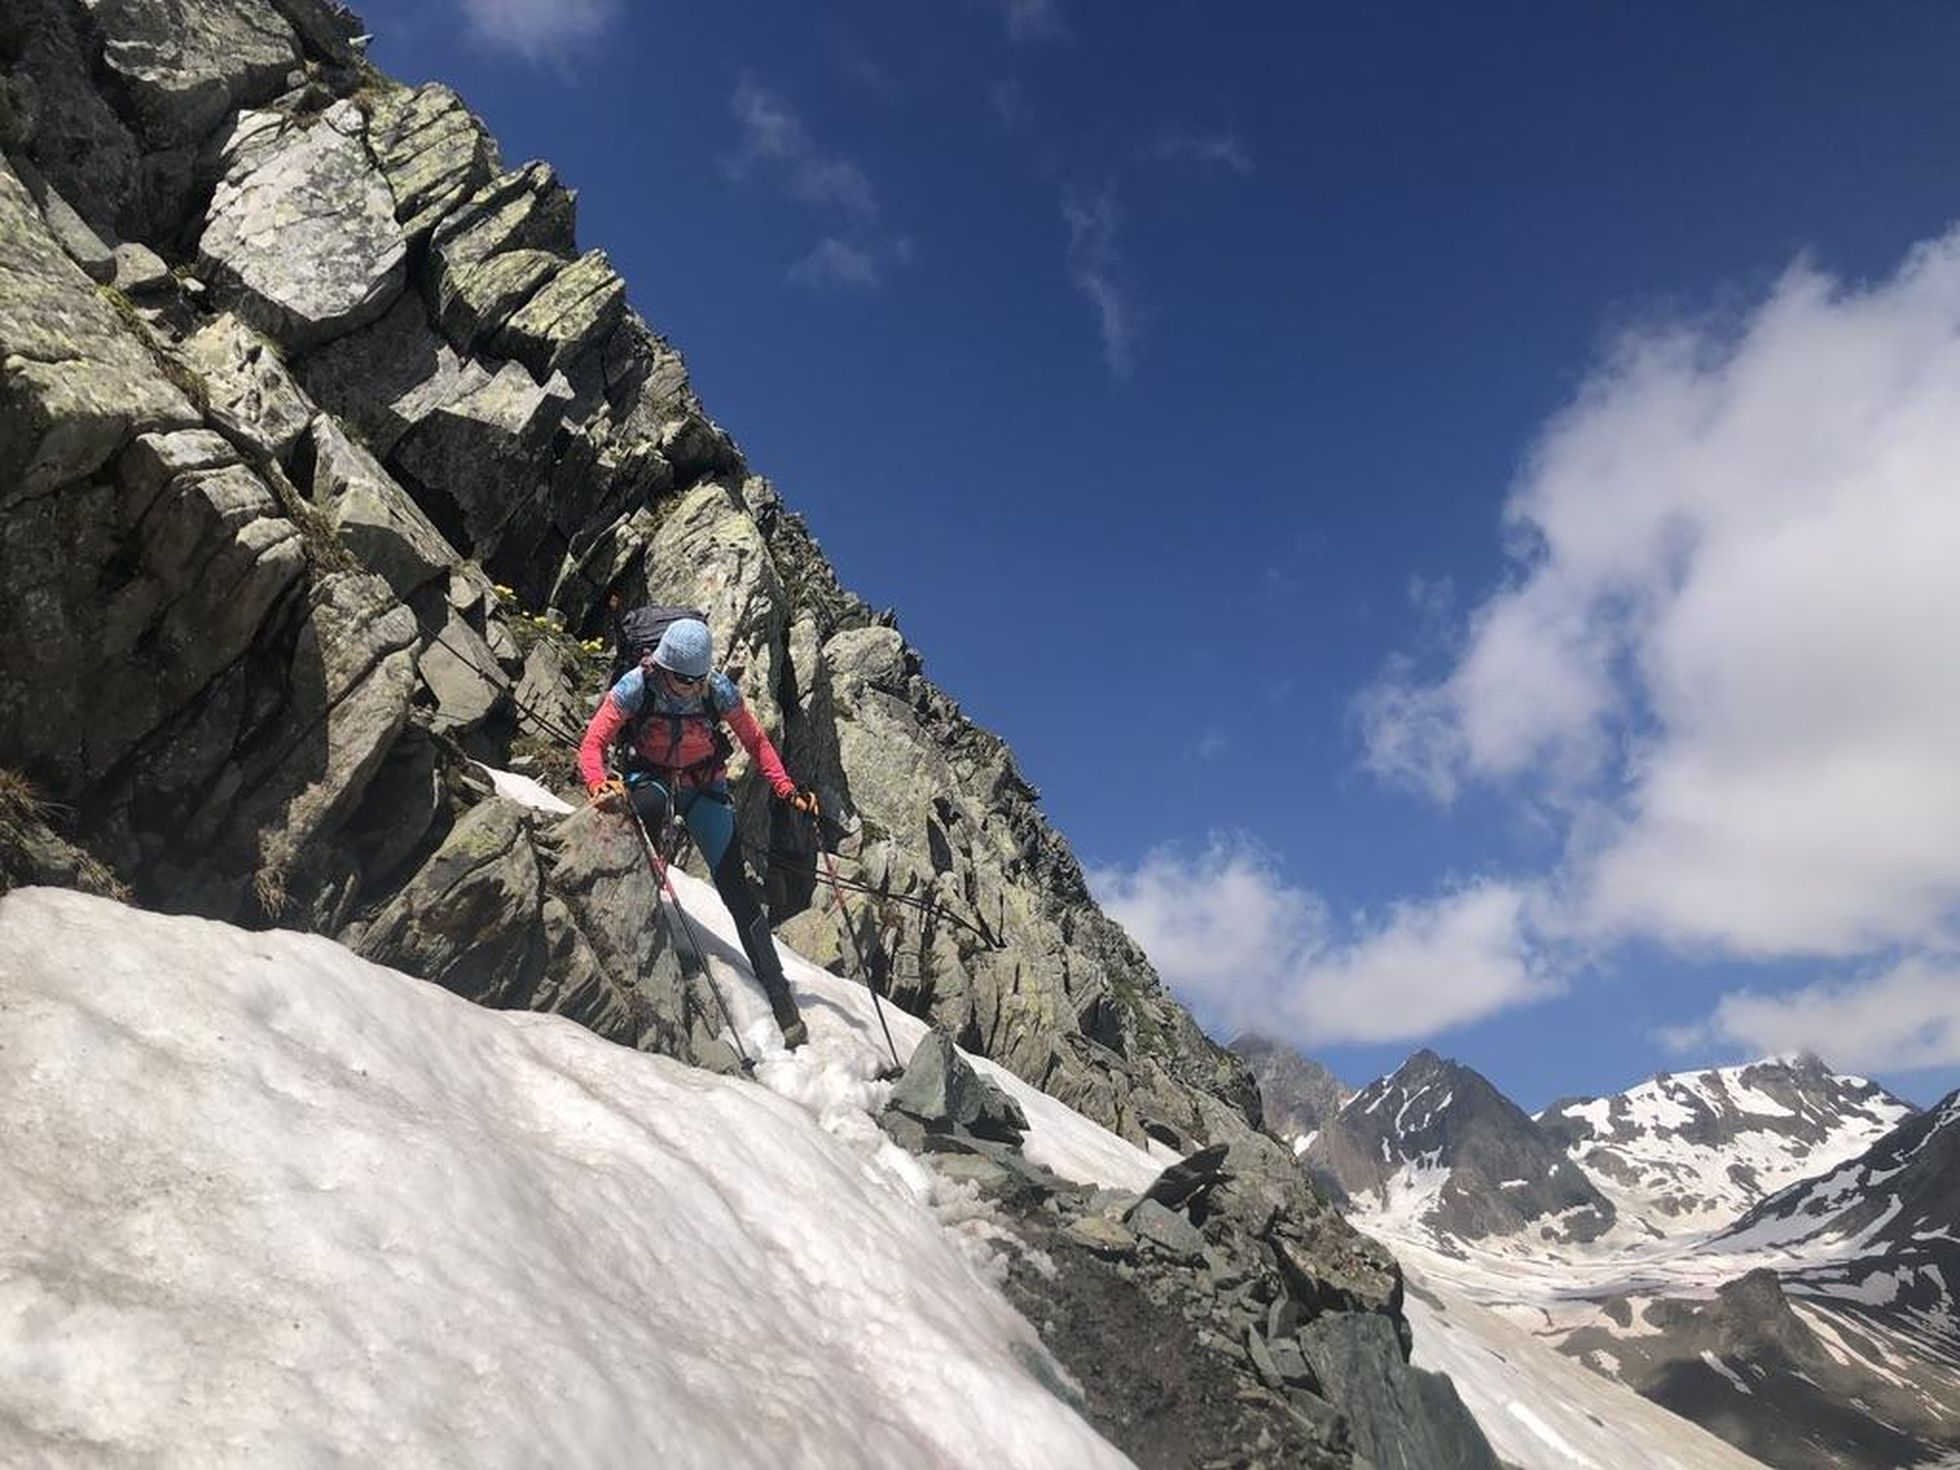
1690,1151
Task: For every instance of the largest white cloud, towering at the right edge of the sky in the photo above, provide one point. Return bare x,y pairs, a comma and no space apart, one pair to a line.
1728,646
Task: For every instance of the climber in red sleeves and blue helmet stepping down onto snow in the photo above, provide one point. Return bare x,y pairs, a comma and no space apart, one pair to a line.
669,714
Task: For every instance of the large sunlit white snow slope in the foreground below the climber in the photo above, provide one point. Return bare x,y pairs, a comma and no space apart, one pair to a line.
271,1204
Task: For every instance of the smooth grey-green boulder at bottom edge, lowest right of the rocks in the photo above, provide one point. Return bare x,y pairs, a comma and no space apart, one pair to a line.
1402,1418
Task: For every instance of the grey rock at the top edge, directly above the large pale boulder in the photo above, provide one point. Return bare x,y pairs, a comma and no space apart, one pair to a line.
187,66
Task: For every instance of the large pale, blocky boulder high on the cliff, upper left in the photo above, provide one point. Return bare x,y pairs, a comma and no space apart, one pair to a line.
305,240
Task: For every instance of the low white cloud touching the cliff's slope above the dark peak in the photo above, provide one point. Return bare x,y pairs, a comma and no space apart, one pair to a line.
1248,950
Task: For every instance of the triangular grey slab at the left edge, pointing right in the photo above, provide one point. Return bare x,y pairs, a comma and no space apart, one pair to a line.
75,381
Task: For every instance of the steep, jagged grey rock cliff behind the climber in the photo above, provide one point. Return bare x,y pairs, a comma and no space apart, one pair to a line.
326,452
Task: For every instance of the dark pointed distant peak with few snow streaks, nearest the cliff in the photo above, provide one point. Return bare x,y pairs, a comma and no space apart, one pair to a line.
1442,1142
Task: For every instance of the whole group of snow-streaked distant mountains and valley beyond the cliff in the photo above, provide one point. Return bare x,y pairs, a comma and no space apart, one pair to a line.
1781,1265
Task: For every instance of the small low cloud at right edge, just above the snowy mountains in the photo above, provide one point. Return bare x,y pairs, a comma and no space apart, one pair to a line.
1896,1022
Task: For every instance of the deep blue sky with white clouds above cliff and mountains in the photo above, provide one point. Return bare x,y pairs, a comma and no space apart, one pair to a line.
1453,507
